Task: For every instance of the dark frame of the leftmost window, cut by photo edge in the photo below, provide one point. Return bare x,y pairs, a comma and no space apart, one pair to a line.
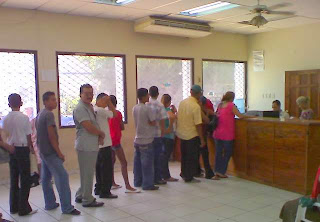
36,73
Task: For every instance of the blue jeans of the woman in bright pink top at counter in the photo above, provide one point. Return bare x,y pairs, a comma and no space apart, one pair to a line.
224,150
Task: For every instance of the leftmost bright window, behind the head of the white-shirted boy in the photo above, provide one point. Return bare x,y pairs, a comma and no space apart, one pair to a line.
18,74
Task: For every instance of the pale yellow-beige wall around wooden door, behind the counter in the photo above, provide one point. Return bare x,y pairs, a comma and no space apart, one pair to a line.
285,50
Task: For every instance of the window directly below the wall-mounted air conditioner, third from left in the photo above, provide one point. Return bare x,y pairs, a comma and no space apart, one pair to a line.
171,75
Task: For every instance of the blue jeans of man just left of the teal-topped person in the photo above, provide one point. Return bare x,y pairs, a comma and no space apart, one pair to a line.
158,150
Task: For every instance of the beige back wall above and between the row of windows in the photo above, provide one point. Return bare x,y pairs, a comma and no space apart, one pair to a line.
48,33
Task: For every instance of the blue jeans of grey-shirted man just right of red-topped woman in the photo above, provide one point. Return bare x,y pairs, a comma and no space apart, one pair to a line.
143,168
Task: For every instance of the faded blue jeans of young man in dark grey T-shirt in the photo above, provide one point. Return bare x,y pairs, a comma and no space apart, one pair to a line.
53,166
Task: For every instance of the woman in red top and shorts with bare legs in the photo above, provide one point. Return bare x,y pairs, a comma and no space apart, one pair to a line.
116,126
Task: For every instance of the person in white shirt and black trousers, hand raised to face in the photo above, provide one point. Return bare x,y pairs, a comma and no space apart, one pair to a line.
104,165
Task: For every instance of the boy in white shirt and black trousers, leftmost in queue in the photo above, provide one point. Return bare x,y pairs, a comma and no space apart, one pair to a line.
17,127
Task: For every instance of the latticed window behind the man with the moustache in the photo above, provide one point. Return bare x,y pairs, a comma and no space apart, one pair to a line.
106,73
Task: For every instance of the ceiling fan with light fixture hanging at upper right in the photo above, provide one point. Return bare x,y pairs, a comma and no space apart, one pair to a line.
259,20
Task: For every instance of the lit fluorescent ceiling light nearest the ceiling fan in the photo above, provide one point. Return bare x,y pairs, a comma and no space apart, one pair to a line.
209,9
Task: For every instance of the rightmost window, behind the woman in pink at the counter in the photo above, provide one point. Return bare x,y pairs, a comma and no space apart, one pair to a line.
220,77
